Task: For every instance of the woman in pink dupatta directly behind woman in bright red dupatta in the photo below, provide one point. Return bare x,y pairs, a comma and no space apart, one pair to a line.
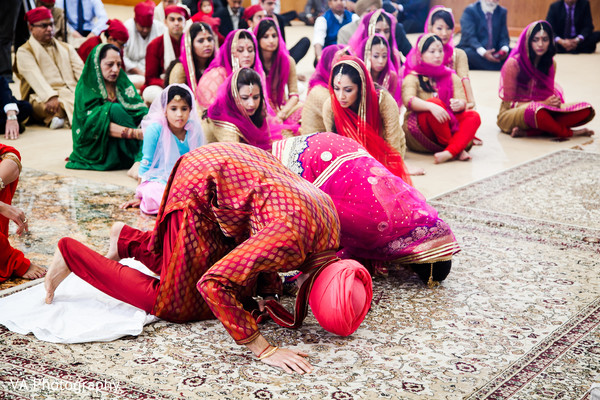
375,53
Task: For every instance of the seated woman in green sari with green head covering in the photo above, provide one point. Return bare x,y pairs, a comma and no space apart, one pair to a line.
108,109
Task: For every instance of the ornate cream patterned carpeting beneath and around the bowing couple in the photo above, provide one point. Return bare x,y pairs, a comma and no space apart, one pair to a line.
518,317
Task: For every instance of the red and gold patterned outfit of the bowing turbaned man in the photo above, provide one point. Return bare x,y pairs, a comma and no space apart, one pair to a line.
232,217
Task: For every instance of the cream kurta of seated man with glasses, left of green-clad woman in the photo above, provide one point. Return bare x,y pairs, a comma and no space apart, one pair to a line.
48,71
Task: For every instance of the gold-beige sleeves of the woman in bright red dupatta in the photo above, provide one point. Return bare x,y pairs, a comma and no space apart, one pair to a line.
391,131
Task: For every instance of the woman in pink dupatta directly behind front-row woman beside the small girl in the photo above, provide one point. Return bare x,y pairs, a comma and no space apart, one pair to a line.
238,51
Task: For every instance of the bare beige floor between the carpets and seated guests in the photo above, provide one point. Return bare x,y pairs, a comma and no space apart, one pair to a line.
46,150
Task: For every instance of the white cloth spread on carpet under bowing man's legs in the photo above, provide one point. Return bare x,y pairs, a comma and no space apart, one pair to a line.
79,313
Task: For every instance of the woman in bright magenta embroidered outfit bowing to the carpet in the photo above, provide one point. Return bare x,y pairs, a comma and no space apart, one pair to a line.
382,218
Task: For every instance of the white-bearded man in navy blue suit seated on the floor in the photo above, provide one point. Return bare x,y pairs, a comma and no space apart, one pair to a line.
484,35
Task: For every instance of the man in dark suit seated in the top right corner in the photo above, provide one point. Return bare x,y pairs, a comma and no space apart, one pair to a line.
571,21
